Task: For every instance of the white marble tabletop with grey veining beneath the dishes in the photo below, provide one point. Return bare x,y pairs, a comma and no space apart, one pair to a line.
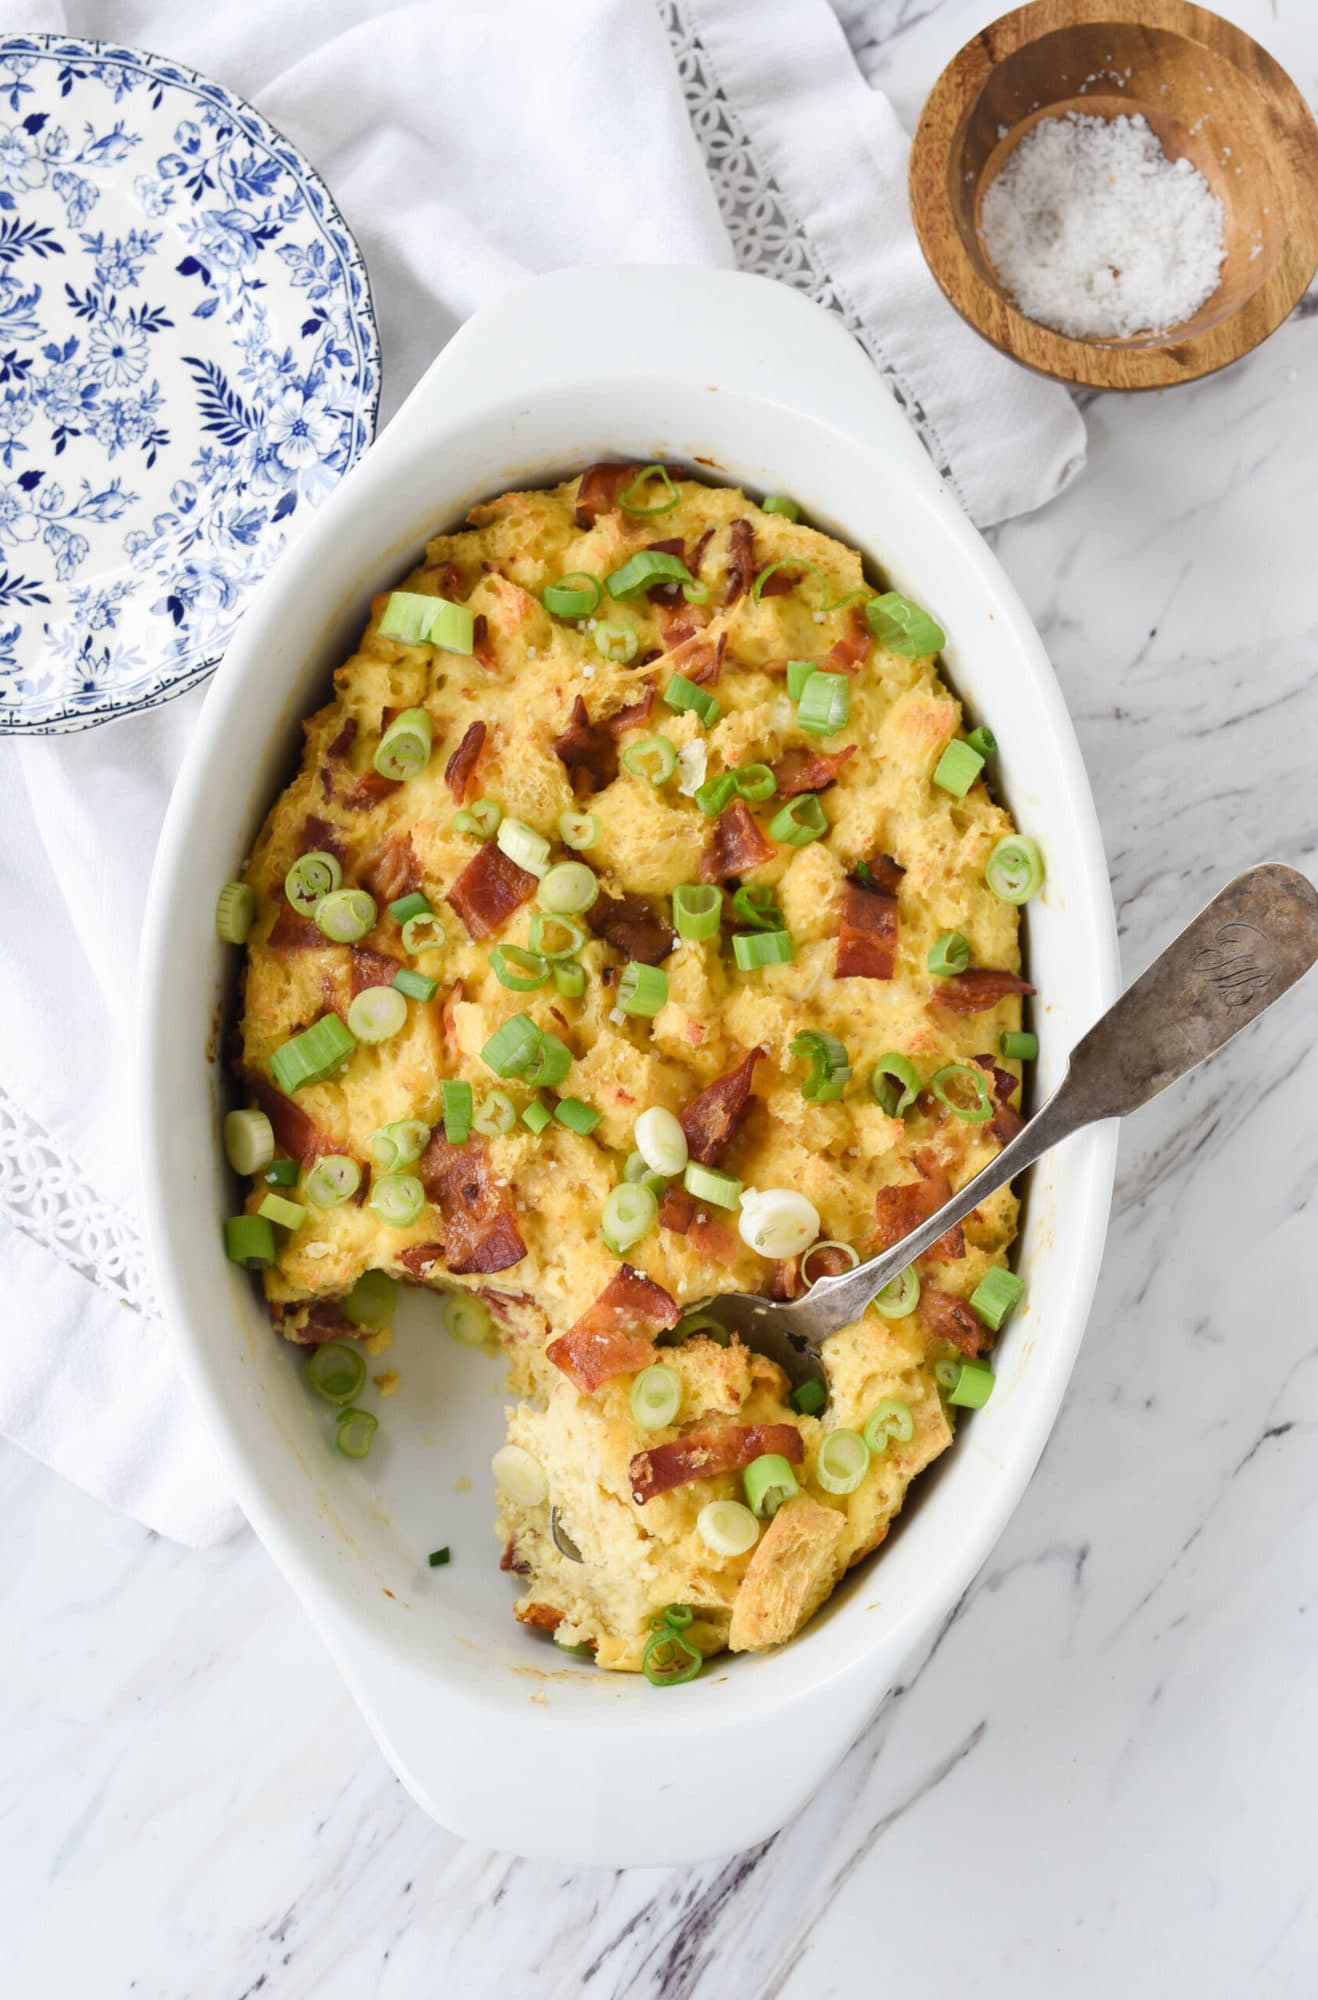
1101,1779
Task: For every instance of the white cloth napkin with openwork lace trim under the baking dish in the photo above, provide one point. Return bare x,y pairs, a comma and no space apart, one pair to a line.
467,147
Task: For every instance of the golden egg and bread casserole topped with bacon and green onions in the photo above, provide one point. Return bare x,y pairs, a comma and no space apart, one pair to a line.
641,927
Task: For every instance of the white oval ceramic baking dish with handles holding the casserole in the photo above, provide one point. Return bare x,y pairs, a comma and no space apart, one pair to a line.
497,1735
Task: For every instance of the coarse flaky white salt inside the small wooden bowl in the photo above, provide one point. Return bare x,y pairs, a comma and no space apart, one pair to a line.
1099,235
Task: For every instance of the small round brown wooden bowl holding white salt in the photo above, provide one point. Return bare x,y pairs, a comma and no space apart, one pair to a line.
1209,93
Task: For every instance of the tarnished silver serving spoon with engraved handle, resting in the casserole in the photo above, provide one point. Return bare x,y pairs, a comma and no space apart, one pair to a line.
1227,969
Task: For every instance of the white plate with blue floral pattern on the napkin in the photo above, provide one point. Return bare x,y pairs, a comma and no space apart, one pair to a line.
187,357
